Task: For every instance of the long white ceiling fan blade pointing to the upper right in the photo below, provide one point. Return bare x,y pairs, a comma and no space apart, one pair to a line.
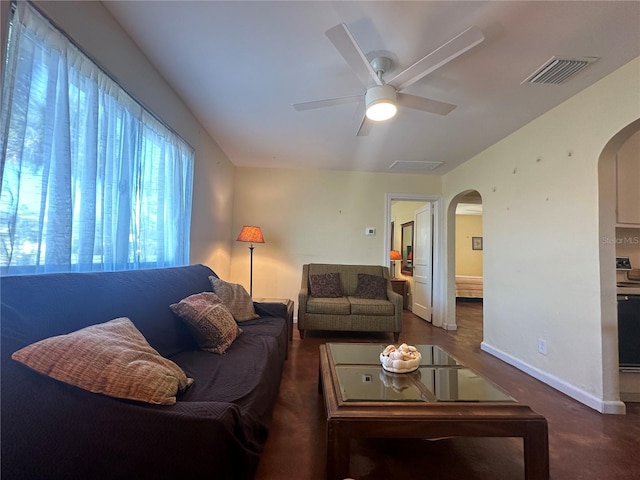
440,56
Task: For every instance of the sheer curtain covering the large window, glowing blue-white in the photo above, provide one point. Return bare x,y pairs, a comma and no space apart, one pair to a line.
89,179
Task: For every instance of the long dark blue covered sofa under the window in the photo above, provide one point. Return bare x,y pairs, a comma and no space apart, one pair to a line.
217,428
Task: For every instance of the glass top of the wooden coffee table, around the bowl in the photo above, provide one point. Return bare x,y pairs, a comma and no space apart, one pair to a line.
440,377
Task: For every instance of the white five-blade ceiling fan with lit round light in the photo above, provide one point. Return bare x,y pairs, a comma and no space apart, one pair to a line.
382,98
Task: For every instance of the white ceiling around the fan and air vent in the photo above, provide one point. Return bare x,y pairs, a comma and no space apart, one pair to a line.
240,66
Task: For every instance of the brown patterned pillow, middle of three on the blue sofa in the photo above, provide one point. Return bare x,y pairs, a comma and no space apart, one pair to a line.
209,319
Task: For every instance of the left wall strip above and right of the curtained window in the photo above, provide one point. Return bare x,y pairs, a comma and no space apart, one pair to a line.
92,27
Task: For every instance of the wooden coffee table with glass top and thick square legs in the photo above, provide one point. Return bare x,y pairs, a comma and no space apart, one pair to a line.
441,399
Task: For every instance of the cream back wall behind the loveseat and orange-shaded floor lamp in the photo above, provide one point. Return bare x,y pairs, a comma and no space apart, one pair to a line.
311,216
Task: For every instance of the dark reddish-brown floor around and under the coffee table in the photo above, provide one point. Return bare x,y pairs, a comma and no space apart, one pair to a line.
583,444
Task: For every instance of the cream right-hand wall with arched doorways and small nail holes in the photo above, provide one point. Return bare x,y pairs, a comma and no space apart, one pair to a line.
539,189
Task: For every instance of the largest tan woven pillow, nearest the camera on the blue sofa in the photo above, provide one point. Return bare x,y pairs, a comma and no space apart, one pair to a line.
111,358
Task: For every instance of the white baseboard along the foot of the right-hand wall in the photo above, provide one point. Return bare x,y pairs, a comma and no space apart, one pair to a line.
586,398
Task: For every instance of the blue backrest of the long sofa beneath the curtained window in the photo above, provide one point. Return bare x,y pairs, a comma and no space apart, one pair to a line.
41,306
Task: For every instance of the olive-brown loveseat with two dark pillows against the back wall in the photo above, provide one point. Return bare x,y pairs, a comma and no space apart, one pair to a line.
348,298
